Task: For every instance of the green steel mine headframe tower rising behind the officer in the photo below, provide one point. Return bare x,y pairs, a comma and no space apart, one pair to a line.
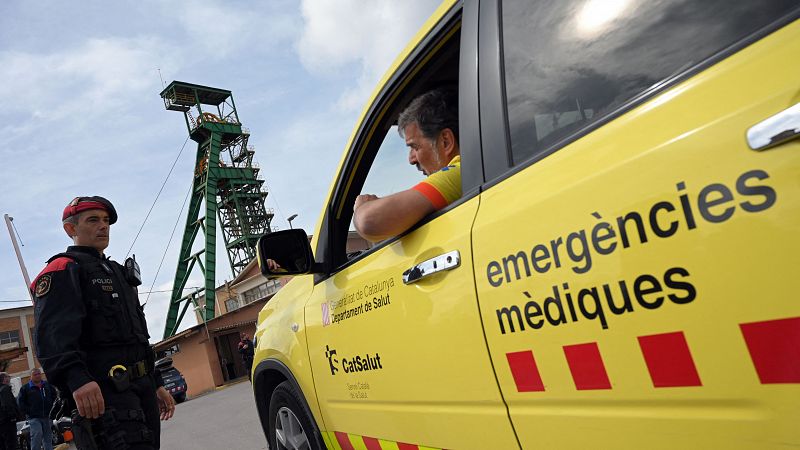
227,183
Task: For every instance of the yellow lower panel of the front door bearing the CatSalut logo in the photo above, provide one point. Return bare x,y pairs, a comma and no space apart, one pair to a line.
410,390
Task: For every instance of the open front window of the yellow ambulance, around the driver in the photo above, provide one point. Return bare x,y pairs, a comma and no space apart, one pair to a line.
378,162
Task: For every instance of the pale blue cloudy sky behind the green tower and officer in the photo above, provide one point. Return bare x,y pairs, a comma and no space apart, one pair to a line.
81,113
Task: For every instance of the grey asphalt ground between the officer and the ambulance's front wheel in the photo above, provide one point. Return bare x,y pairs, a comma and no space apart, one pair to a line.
222,420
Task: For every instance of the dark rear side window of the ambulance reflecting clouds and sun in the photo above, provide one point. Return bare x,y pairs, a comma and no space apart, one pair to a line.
570,63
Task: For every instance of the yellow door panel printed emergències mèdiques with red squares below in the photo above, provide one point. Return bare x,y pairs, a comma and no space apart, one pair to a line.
678,365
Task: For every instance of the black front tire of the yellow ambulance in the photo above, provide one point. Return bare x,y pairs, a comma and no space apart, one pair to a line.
287,402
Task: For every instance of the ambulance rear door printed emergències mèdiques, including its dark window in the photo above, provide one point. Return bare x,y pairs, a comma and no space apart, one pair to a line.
636,249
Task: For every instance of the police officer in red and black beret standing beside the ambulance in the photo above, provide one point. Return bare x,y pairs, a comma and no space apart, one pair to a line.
91,336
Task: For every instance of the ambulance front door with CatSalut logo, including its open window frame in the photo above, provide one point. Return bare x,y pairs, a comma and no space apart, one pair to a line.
402,362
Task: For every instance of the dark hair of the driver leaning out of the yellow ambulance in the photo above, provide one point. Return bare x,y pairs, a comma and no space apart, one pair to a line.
432,111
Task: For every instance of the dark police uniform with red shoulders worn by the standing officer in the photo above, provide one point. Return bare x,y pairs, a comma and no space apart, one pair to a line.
89,325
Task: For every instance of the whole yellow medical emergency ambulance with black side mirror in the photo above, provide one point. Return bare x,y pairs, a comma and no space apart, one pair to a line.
622,270
